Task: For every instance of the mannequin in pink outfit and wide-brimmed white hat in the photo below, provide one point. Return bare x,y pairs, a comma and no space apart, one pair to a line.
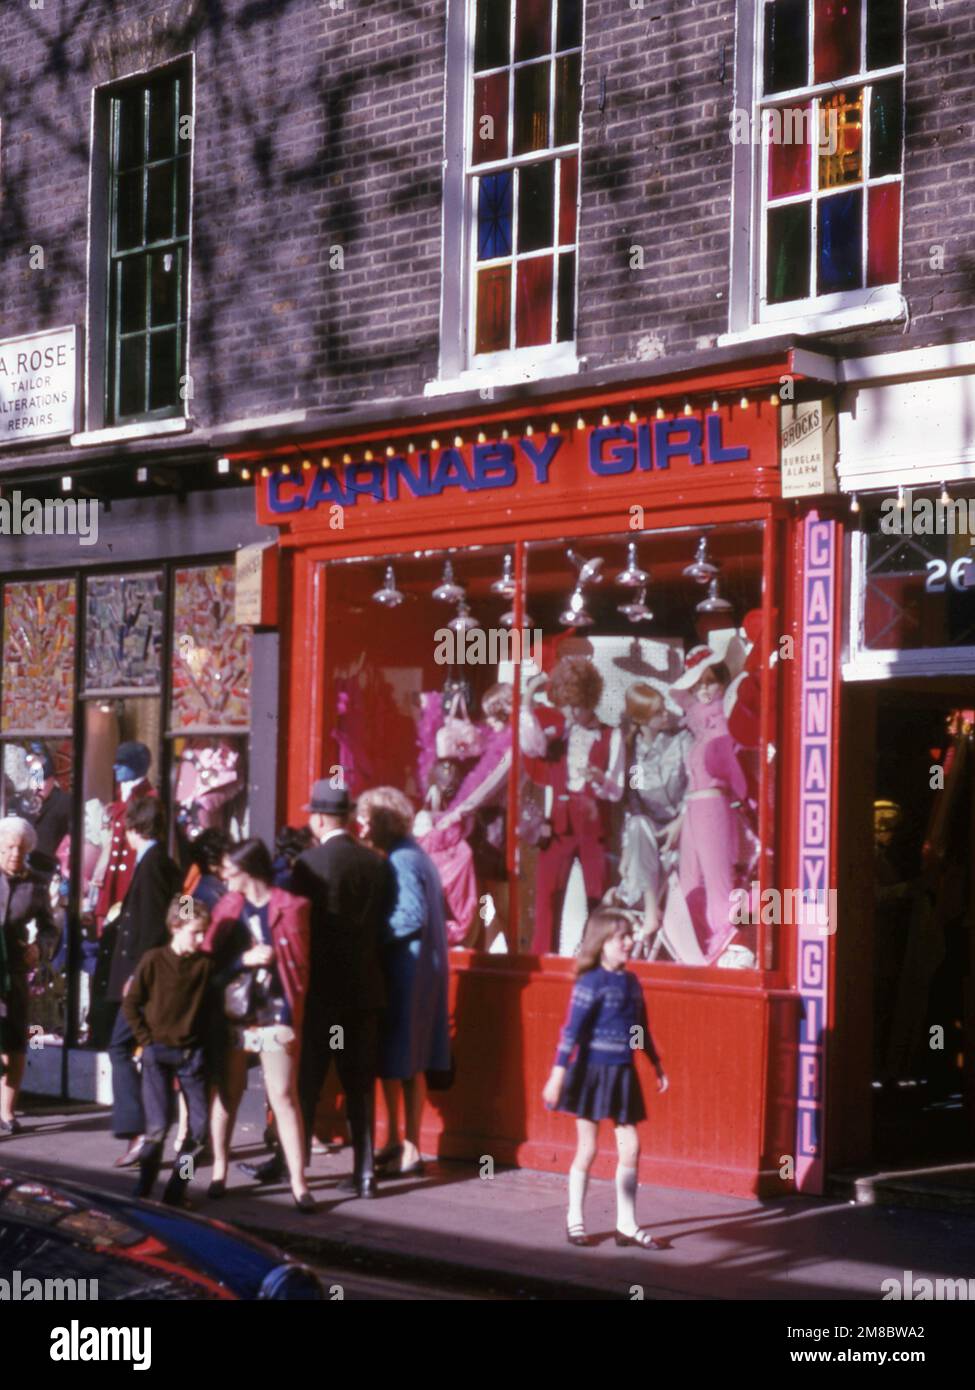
710,833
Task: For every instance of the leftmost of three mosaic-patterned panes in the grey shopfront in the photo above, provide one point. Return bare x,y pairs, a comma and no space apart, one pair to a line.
40,657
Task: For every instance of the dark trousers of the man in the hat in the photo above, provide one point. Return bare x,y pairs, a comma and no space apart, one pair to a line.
355,1053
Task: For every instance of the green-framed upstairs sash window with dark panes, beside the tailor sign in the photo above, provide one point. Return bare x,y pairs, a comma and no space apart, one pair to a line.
150,176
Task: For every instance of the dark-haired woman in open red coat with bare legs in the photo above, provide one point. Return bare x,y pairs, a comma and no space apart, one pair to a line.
261,935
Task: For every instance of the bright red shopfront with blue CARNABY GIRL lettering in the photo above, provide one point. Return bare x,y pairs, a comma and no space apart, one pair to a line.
538,509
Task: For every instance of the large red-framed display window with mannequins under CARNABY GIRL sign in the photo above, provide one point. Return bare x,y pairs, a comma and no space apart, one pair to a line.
635,746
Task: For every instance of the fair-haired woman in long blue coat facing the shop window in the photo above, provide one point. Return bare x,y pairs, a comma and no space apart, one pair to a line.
415,1031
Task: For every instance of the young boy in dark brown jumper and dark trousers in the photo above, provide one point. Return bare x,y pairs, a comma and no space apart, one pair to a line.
166,1008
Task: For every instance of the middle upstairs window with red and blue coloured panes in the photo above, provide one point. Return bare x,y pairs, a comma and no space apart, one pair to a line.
522,180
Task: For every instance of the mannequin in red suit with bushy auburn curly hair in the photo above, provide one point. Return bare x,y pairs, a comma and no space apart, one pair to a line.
579,767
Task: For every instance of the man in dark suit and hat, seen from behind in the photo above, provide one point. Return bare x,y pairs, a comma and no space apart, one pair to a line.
351,894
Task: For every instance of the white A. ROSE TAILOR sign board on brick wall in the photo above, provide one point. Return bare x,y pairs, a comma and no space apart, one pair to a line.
38,386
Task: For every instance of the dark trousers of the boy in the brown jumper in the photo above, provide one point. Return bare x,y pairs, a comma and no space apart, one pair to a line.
161,1068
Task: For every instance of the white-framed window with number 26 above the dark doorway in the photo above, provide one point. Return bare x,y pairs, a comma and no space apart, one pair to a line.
913,591
